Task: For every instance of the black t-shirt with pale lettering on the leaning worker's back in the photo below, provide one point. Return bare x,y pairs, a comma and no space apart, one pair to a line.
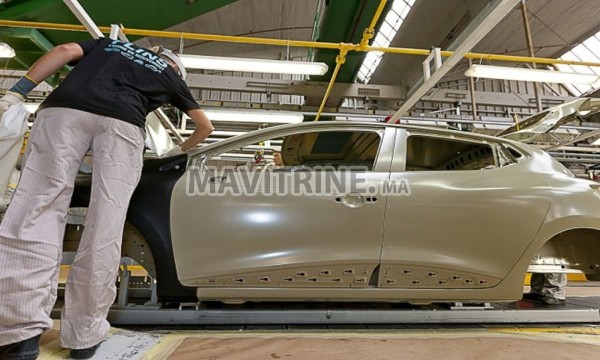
120,80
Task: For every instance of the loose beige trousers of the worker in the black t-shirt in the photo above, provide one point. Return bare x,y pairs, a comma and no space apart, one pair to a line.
32,231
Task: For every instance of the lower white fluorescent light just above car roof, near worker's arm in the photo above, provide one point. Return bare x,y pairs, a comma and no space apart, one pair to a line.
262,116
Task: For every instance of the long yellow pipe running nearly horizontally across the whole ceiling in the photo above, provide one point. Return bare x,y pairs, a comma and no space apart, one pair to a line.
294,43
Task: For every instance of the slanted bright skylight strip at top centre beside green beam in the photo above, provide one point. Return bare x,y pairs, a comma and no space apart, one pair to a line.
390,26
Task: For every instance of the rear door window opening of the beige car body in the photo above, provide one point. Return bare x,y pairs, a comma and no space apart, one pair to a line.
438,154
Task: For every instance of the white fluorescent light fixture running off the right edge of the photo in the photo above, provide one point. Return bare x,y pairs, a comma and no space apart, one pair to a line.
521,74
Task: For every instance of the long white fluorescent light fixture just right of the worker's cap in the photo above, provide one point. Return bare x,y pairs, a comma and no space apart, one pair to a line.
253,65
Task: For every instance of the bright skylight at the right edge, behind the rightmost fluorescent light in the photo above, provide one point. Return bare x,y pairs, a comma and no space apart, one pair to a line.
586,51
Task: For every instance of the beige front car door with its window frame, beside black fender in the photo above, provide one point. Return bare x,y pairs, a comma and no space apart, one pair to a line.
283,235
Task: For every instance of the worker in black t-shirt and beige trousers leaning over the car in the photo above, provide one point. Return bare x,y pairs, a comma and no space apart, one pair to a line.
101,105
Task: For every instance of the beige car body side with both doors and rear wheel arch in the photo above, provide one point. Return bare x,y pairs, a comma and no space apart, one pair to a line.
462,235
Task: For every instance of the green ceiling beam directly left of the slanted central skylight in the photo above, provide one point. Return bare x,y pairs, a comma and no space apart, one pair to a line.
345,21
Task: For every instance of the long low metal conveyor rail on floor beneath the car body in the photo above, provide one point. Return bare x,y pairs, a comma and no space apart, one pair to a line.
576,310
